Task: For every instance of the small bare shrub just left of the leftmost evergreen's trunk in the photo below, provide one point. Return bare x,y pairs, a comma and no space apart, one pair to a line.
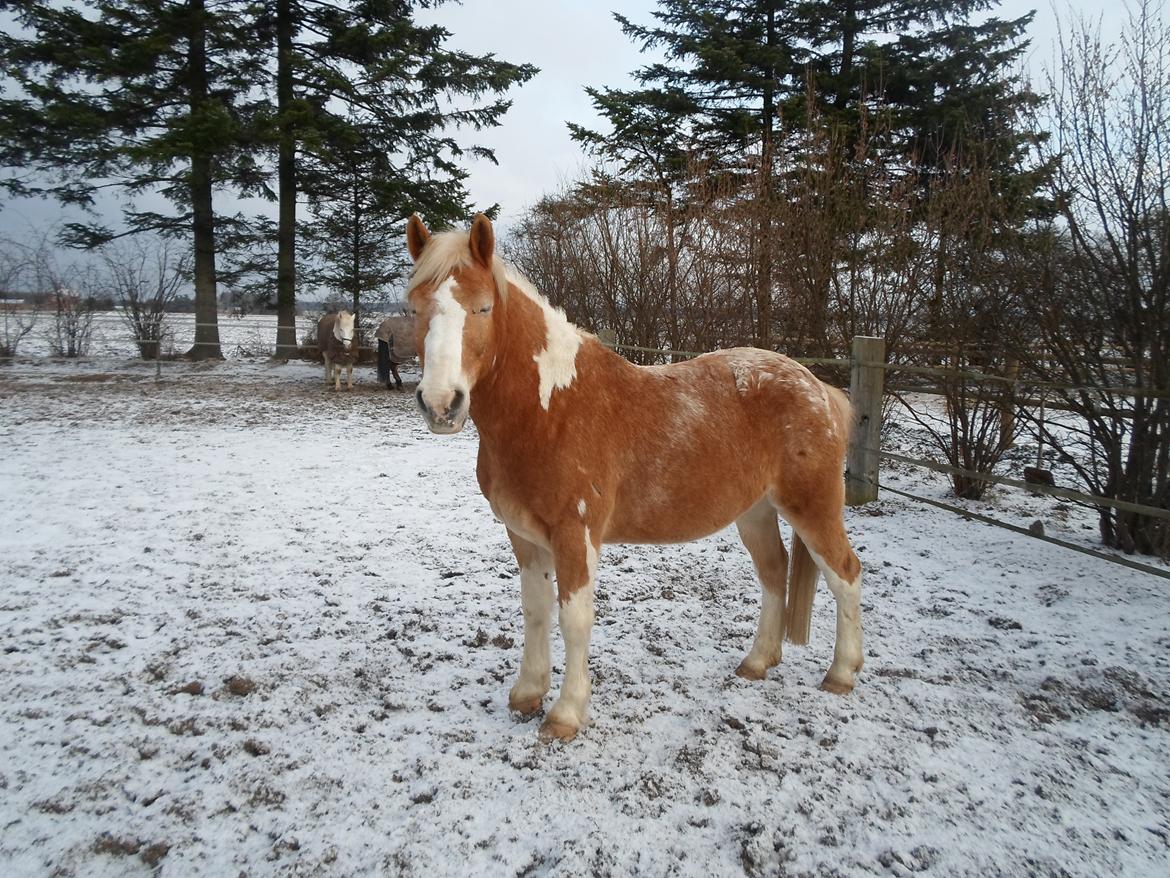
146,279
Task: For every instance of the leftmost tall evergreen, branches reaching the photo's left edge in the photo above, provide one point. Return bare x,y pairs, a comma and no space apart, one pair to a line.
134,97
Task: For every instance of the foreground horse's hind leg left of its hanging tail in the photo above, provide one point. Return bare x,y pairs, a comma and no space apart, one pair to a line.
761,536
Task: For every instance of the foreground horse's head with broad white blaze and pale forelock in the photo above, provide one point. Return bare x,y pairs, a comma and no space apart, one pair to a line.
455,293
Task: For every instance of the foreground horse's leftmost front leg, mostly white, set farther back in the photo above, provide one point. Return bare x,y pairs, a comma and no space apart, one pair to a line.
538,598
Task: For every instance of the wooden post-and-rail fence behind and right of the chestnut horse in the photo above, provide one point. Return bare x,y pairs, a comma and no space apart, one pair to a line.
869,369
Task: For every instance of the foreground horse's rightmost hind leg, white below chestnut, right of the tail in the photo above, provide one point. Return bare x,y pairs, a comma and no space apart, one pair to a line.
824,536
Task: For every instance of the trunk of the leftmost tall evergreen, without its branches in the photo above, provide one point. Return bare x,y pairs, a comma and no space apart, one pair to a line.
208,345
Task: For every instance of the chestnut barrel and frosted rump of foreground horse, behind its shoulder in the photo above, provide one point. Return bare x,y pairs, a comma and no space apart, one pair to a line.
713,436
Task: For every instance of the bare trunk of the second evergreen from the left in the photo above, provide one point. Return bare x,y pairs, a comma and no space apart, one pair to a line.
286,175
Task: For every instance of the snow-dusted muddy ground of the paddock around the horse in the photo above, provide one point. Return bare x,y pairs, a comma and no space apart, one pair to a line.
253,627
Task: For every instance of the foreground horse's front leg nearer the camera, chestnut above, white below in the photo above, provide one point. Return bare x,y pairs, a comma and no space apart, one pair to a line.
575,552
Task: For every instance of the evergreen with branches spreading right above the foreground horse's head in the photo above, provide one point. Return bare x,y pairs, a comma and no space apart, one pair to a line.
362,87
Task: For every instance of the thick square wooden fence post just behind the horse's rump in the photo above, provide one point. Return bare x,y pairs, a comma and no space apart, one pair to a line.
868,385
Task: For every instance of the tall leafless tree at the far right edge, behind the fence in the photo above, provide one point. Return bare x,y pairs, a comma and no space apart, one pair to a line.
1105,312
